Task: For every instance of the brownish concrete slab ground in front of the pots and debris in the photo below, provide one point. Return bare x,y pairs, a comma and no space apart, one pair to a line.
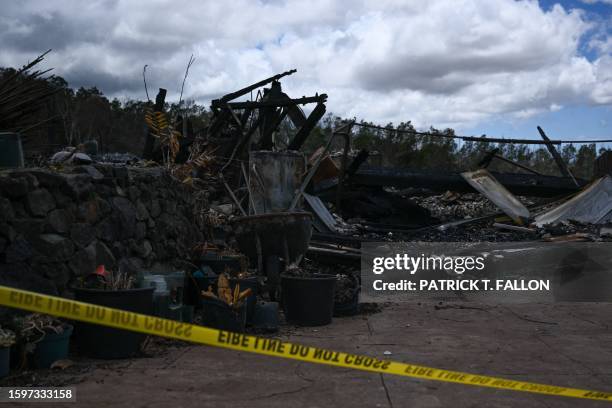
565,344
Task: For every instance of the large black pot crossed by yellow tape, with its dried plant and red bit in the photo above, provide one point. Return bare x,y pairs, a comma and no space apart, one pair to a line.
117,290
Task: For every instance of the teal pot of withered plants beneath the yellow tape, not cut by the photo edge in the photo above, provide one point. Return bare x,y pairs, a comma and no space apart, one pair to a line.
45,338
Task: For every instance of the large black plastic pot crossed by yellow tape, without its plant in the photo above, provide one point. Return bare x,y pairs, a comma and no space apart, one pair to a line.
105,342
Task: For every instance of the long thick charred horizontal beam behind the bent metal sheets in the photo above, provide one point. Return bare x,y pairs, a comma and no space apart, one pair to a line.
521,184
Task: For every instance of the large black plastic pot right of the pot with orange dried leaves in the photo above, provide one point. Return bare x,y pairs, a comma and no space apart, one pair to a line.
308,301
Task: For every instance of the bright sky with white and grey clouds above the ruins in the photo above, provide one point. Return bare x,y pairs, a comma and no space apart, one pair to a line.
498,67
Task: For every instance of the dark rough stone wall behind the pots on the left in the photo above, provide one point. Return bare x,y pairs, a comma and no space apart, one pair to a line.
56,227
